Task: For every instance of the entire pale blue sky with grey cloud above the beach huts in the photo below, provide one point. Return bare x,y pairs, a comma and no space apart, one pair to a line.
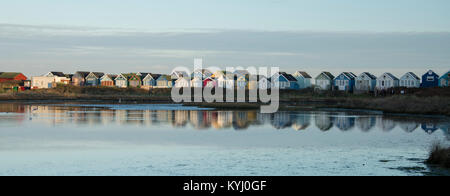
115,36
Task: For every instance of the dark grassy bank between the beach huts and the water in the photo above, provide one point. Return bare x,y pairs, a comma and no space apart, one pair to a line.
428,101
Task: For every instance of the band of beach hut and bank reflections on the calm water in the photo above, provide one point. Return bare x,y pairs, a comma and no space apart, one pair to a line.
218,120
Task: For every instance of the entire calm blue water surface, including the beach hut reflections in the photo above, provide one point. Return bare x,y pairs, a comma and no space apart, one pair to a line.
144,139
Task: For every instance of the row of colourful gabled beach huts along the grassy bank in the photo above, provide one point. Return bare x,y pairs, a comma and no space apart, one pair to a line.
346,81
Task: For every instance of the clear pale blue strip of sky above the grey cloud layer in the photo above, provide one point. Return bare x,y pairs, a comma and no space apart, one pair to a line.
323,15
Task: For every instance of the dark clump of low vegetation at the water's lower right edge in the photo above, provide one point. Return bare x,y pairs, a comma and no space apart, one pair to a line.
439,155
